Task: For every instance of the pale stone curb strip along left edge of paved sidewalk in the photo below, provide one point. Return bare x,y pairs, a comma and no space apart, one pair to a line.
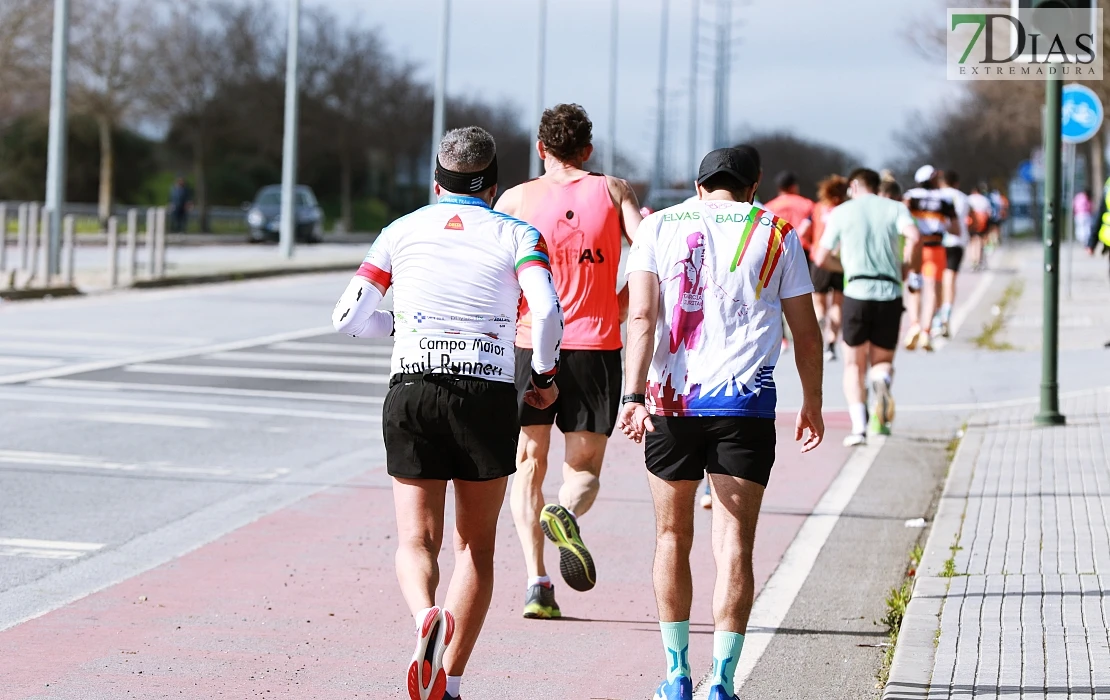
915,654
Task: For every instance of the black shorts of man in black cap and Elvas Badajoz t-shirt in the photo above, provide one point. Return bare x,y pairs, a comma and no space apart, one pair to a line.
685,449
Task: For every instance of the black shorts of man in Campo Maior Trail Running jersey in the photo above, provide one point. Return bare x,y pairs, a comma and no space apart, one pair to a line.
446,428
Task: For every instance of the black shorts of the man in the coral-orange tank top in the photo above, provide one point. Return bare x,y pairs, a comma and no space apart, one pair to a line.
589,392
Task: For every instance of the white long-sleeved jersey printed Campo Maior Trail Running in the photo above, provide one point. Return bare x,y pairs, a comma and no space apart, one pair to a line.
458,270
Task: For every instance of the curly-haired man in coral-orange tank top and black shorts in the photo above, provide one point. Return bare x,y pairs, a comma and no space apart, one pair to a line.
583,217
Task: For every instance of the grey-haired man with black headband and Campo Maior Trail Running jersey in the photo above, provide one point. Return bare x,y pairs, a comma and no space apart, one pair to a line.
458,270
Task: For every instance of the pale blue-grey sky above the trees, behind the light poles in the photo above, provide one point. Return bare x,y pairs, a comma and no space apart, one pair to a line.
843,73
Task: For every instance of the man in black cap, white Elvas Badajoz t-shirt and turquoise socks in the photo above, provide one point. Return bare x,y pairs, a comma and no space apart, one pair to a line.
710,282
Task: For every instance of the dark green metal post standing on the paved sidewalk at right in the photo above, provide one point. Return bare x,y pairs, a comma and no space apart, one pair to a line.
1050,413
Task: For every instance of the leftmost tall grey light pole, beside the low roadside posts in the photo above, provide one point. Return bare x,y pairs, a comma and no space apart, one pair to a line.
56,166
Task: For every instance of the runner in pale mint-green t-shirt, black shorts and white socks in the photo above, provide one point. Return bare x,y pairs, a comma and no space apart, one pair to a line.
862,240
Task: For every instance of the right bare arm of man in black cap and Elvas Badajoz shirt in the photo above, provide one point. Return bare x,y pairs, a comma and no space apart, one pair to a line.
808,356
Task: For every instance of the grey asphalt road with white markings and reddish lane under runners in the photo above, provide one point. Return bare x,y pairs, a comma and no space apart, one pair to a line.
204,444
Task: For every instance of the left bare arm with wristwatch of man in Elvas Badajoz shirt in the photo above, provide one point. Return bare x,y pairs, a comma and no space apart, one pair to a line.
644,312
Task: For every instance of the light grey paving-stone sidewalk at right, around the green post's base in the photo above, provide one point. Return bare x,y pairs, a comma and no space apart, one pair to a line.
1013,597
